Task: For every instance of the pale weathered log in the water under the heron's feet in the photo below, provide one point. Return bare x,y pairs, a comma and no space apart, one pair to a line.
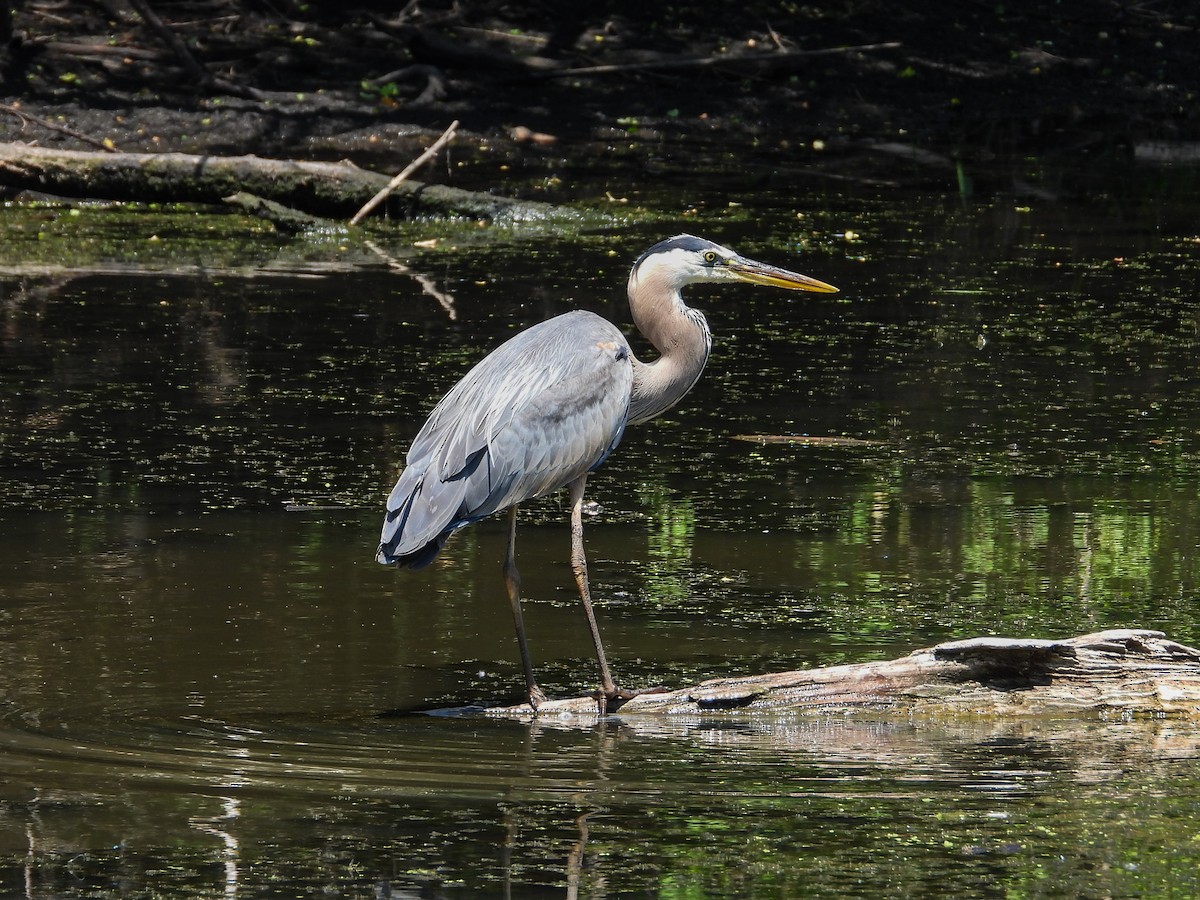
1119,673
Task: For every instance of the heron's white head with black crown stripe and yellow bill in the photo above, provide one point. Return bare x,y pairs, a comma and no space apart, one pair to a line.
686,260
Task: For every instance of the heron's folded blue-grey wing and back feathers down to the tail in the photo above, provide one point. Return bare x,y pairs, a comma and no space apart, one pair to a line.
537,413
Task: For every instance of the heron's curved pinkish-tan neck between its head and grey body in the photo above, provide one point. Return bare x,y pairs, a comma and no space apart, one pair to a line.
681,337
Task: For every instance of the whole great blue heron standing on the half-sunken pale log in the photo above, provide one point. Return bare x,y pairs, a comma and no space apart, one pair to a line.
548,407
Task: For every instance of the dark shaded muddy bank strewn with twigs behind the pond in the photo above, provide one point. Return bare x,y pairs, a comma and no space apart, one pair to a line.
621,87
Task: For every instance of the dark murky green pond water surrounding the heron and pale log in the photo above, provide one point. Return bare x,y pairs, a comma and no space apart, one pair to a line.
208,683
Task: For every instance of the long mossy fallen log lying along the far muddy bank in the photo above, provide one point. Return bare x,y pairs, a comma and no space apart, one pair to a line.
322,189
